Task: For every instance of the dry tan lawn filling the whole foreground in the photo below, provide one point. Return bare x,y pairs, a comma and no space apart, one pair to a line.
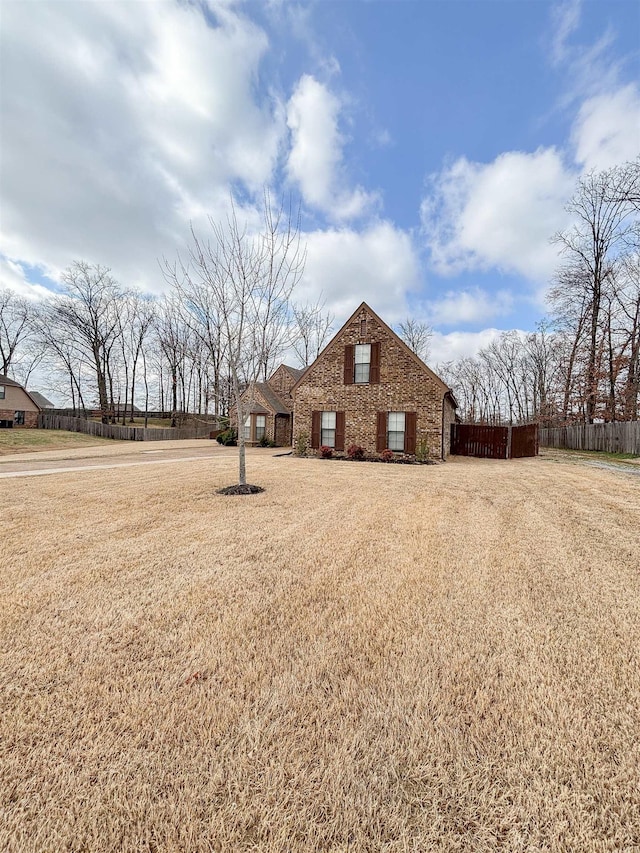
363,658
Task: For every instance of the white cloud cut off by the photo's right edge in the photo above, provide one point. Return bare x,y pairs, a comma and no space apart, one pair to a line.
607,129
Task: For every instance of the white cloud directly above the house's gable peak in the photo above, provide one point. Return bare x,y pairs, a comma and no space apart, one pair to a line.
378,265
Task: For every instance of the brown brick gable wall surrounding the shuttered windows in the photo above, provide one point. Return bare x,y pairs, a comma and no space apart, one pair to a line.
404,386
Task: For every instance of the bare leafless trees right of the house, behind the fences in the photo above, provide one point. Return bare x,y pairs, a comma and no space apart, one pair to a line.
582,364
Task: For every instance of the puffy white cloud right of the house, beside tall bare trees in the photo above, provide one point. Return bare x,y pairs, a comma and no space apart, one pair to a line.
498,215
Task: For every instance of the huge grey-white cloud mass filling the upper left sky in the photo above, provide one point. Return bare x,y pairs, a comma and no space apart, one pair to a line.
128,120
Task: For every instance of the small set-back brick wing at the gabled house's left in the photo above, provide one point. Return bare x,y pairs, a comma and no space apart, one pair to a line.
271,407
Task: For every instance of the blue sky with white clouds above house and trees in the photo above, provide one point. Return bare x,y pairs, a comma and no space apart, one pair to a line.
433,145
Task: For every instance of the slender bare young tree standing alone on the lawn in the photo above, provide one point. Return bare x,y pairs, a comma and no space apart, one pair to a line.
242,280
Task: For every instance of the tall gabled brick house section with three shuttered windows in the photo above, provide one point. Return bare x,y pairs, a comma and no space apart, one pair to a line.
368,388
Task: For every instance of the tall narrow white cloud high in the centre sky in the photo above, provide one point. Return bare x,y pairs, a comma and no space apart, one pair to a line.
316,158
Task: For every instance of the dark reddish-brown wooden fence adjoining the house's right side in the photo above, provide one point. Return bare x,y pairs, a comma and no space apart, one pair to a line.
494,442
